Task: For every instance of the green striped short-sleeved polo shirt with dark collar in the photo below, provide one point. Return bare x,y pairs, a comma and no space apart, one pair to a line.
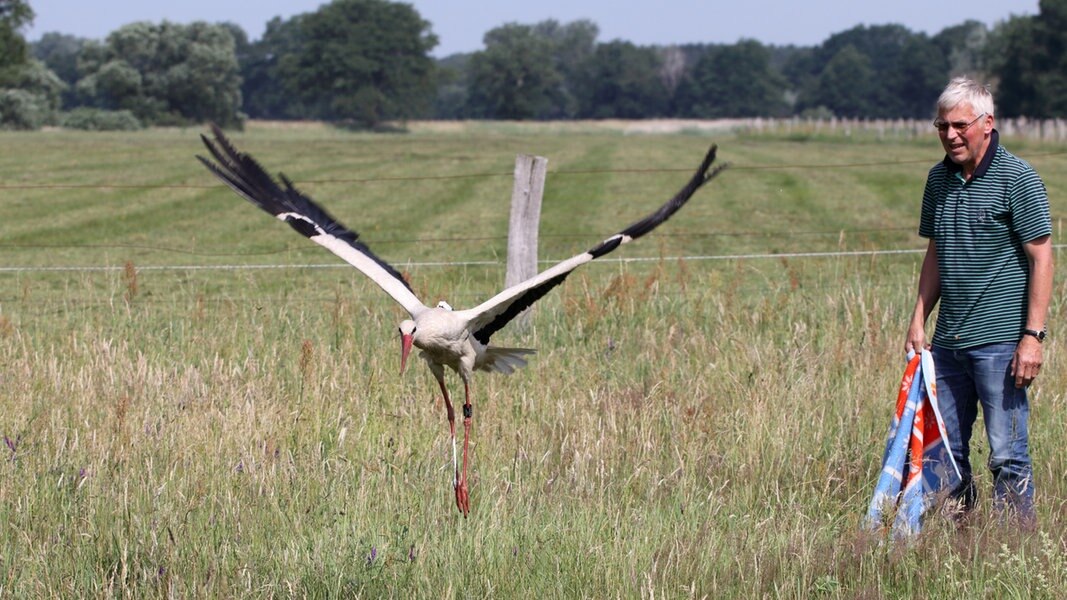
979,228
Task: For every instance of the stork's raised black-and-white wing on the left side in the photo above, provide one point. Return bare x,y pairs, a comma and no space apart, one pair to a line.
248,179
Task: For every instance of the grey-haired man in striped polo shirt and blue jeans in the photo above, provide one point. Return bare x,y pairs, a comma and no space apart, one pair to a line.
990,263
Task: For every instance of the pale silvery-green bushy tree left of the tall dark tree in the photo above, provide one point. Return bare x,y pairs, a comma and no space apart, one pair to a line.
165,73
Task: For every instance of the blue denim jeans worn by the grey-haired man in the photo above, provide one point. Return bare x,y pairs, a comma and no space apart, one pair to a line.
983,375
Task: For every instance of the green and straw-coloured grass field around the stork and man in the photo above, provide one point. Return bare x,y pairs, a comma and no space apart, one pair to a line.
198,403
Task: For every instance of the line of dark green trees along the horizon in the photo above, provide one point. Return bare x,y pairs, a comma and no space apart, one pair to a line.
365,64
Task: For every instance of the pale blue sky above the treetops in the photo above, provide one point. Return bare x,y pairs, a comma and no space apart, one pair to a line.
460,25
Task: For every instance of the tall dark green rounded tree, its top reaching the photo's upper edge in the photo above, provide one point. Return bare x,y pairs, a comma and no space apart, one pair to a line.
361,61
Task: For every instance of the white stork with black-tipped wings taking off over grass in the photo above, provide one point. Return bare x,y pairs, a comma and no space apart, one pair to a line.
458,340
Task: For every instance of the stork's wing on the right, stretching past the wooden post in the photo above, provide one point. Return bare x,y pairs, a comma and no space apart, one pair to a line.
490,317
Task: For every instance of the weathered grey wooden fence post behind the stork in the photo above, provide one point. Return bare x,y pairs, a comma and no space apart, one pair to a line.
524,223
